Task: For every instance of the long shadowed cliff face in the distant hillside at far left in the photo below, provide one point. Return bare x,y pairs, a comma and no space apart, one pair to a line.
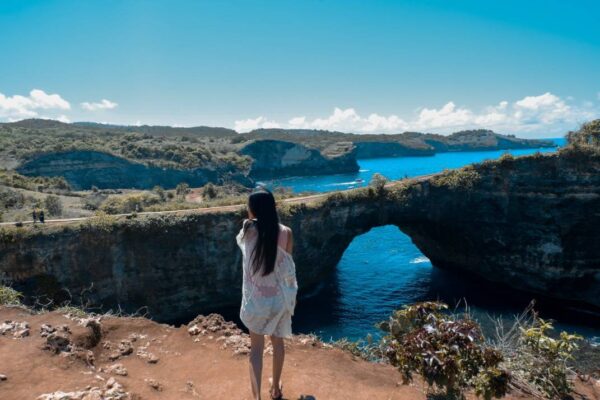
84,169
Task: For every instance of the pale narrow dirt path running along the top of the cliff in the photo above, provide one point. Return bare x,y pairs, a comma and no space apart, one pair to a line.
292,200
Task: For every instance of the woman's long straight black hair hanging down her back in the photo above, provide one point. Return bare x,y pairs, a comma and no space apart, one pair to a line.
262,205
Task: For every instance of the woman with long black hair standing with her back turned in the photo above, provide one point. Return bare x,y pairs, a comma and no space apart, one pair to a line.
269,286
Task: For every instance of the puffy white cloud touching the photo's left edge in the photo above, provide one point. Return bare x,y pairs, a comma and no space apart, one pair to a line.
19,107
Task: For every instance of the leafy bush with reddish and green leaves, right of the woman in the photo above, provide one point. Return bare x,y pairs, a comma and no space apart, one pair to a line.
449,353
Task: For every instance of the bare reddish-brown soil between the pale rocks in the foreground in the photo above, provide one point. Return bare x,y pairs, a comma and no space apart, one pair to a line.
189,369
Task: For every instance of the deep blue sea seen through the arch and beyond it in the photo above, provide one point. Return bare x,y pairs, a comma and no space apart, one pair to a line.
382,270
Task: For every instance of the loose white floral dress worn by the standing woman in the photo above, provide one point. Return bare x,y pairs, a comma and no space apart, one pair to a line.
268,302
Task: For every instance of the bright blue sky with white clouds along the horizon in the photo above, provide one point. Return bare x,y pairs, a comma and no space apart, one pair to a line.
530,68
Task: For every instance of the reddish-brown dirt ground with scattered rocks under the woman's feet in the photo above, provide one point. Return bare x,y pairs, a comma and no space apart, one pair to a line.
148,360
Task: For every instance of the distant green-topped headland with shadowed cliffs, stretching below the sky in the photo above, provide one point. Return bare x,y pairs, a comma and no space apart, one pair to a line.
111,156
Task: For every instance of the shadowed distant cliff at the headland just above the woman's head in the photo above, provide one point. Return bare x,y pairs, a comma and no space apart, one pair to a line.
276,159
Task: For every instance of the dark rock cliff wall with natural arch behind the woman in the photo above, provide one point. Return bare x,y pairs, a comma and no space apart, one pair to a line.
530,223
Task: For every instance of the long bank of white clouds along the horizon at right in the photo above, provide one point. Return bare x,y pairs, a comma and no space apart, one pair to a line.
540,115
